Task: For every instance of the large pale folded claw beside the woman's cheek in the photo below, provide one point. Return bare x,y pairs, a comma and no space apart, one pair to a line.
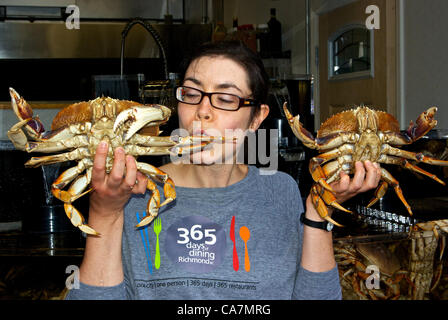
133,119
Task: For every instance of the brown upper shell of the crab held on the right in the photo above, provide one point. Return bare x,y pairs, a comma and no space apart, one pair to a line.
346,121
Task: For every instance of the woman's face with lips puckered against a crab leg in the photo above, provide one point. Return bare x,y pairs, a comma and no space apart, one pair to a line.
217,74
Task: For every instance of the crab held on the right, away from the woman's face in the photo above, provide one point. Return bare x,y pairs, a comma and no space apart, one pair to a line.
358,135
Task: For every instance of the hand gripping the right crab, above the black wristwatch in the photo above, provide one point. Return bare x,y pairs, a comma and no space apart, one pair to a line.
367,176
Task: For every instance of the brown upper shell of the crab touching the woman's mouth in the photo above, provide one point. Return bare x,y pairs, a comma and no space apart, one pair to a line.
81,112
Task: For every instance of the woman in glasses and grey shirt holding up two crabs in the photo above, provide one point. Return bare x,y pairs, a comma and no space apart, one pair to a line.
231,233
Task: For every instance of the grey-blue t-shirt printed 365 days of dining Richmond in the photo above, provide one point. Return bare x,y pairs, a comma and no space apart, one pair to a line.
199,259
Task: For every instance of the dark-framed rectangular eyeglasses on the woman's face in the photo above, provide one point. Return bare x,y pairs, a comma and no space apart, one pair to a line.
218,100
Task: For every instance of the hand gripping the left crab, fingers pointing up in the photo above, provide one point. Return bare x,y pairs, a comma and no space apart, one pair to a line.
112,191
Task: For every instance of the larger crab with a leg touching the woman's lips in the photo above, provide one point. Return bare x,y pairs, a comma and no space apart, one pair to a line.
79,128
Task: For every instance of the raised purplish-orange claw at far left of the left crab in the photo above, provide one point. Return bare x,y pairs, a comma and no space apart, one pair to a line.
23,110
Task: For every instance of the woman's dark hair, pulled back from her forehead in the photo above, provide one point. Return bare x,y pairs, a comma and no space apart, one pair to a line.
242,55
